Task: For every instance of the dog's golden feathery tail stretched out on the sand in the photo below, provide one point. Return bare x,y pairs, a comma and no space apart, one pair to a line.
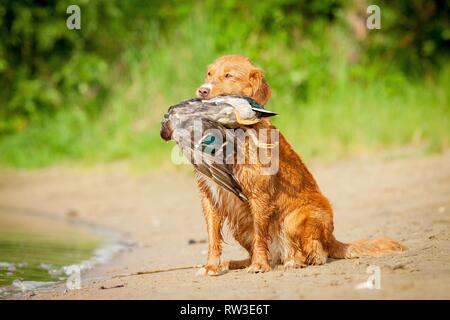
363,248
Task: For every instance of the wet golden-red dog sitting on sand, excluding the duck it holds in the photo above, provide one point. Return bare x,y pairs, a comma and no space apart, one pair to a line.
287,219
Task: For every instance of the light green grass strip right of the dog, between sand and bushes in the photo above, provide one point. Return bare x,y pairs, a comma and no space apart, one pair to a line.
369,120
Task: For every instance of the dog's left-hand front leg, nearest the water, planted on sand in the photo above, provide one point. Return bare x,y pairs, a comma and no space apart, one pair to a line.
213,224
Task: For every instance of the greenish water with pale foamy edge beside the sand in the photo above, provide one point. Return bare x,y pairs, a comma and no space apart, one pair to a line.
38,252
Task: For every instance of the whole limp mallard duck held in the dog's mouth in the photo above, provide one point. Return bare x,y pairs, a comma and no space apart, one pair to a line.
220,113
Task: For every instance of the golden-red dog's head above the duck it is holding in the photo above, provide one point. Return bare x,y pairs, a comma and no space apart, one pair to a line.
235,74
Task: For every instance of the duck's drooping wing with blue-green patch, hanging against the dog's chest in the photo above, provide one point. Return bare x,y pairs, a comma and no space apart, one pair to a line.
209,156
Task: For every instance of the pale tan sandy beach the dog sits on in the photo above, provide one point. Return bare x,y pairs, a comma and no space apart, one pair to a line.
159,215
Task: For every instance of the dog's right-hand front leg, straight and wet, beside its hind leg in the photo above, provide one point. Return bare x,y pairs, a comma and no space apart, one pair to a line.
261,208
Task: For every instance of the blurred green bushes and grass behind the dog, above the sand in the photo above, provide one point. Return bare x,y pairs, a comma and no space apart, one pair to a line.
97,94
